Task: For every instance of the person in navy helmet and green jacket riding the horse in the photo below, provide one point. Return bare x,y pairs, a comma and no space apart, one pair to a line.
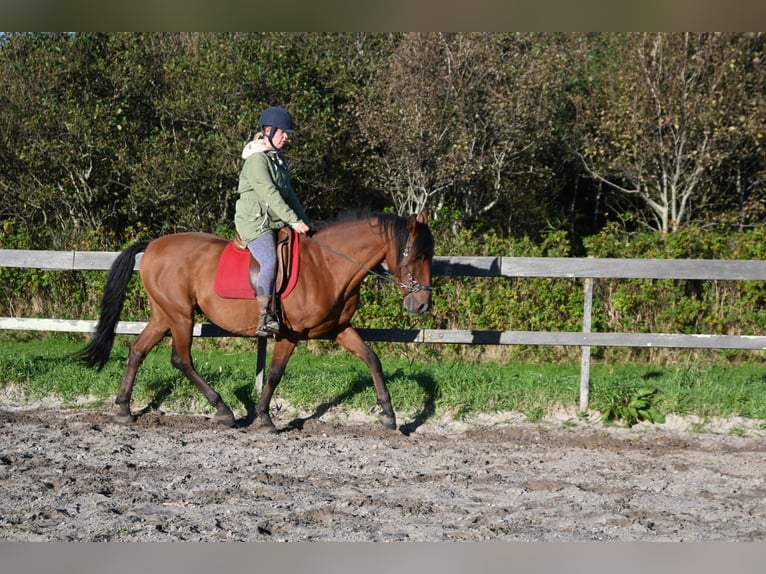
266,203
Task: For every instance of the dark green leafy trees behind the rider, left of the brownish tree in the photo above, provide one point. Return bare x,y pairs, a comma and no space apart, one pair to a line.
110,132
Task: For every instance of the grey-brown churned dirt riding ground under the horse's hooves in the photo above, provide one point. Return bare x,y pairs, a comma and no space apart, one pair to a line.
75,475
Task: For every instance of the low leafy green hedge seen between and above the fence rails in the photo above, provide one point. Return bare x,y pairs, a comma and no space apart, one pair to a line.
484,303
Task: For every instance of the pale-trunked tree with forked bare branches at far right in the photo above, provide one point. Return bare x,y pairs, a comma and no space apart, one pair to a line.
663,114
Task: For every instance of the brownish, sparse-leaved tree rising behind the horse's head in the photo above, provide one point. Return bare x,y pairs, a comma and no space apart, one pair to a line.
459,121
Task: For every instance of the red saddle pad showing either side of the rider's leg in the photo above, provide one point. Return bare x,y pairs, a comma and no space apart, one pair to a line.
237,271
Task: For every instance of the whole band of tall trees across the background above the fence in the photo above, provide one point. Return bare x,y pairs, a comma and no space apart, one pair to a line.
113,131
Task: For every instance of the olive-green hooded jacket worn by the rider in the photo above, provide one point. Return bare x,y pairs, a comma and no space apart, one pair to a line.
266,198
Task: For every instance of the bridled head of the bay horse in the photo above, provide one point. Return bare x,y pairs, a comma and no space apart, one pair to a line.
412,269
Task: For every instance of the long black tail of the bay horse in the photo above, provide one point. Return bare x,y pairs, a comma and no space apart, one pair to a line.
96,353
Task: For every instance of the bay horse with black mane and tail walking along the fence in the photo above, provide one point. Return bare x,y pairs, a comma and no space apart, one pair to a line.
178,270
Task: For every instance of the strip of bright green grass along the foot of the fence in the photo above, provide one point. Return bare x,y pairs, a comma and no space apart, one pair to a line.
35,367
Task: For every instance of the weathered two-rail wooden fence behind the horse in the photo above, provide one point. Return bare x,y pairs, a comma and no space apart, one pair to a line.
586,269
